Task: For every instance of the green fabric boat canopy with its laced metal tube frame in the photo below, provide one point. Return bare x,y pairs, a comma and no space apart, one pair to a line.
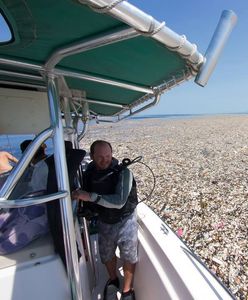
108,52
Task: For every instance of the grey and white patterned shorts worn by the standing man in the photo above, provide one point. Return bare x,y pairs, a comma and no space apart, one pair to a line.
123,234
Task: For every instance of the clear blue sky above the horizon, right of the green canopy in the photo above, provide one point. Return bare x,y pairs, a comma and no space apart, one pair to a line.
227,89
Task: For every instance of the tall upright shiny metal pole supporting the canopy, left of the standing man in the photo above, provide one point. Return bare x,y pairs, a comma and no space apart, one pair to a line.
63,185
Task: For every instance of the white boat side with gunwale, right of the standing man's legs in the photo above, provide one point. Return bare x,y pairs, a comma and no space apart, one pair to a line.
167,268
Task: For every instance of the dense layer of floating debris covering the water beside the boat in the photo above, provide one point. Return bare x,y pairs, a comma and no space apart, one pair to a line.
201,169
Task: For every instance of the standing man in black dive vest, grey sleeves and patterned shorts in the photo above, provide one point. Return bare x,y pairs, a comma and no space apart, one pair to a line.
113,191
